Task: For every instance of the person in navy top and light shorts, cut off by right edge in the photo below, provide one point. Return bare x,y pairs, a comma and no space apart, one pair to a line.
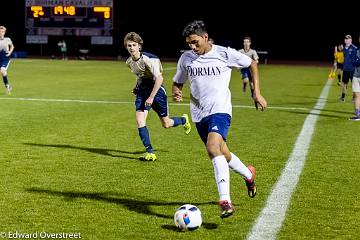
356,86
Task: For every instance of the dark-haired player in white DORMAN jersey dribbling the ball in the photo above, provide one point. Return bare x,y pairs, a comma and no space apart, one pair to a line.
208,68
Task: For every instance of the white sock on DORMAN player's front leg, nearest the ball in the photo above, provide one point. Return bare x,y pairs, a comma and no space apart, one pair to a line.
222,177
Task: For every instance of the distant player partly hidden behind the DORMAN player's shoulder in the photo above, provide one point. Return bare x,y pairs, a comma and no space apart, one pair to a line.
245,72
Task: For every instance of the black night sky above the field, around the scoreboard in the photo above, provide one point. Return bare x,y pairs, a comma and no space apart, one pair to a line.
292,31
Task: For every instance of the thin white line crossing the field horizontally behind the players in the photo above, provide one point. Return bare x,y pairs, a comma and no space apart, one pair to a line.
120,102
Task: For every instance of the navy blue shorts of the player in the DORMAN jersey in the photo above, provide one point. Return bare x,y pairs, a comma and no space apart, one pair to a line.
218,122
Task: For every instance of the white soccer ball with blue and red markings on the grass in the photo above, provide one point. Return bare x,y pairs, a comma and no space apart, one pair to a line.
188,217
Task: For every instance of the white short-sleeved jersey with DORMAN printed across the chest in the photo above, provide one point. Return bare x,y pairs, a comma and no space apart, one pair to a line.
209,76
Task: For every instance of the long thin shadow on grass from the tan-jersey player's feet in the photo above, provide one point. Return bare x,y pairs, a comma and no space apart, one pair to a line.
101,151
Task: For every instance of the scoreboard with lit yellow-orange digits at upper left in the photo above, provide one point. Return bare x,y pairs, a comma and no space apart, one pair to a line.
92,18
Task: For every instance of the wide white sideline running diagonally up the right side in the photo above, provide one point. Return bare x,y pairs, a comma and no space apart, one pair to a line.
270,220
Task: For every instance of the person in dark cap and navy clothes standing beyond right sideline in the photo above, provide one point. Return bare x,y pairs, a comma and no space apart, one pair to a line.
348,71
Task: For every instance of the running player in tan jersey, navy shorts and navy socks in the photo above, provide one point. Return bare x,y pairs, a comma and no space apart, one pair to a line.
150,92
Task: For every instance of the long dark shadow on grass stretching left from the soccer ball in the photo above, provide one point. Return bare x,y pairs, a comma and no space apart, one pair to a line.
134,205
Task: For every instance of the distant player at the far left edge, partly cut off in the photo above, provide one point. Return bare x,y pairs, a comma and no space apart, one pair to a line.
6,48
